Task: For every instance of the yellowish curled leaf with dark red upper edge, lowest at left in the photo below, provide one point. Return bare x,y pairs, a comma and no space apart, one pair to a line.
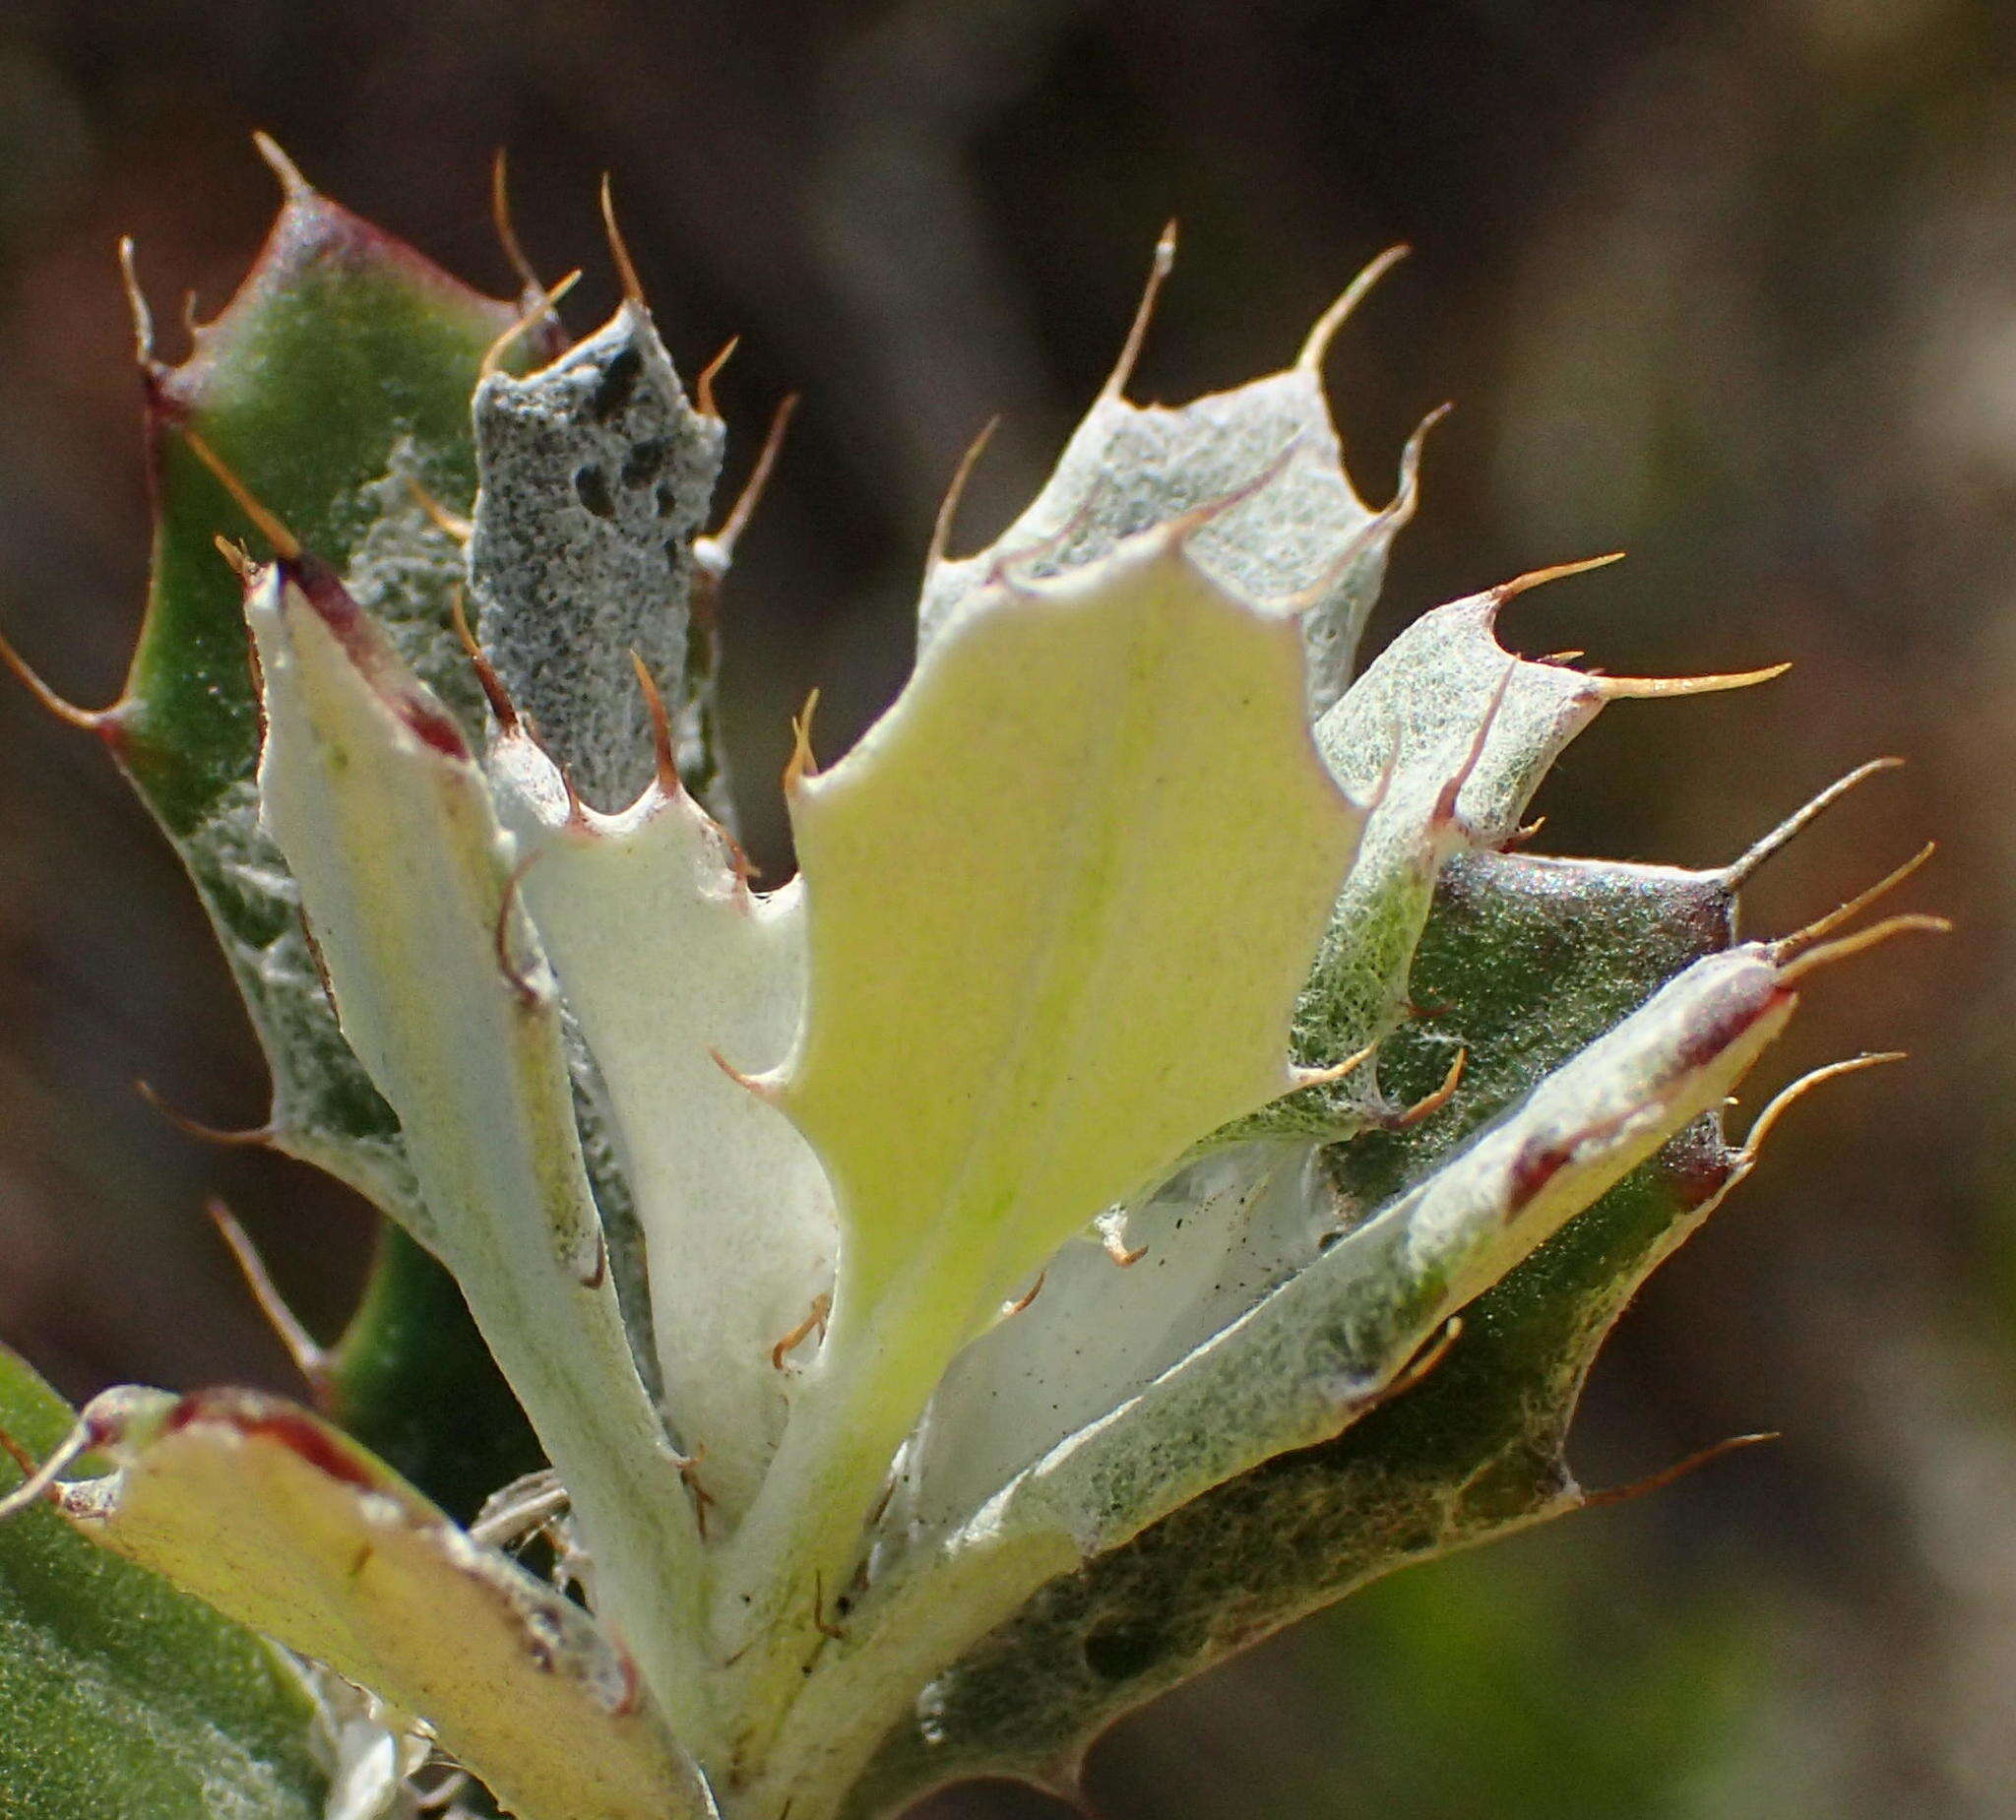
285,1525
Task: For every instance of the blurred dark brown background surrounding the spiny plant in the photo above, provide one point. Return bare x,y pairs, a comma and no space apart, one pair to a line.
1727,283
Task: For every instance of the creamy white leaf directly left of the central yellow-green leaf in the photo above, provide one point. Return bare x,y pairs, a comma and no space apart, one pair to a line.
670,964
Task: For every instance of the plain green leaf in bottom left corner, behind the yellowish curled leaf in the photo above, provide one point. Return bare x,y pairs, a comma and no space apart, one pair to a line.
120,1694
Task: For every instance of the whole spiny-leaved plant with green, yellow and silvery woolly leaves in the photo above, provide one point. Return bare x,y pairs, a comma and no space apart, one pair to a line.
1164,1162
